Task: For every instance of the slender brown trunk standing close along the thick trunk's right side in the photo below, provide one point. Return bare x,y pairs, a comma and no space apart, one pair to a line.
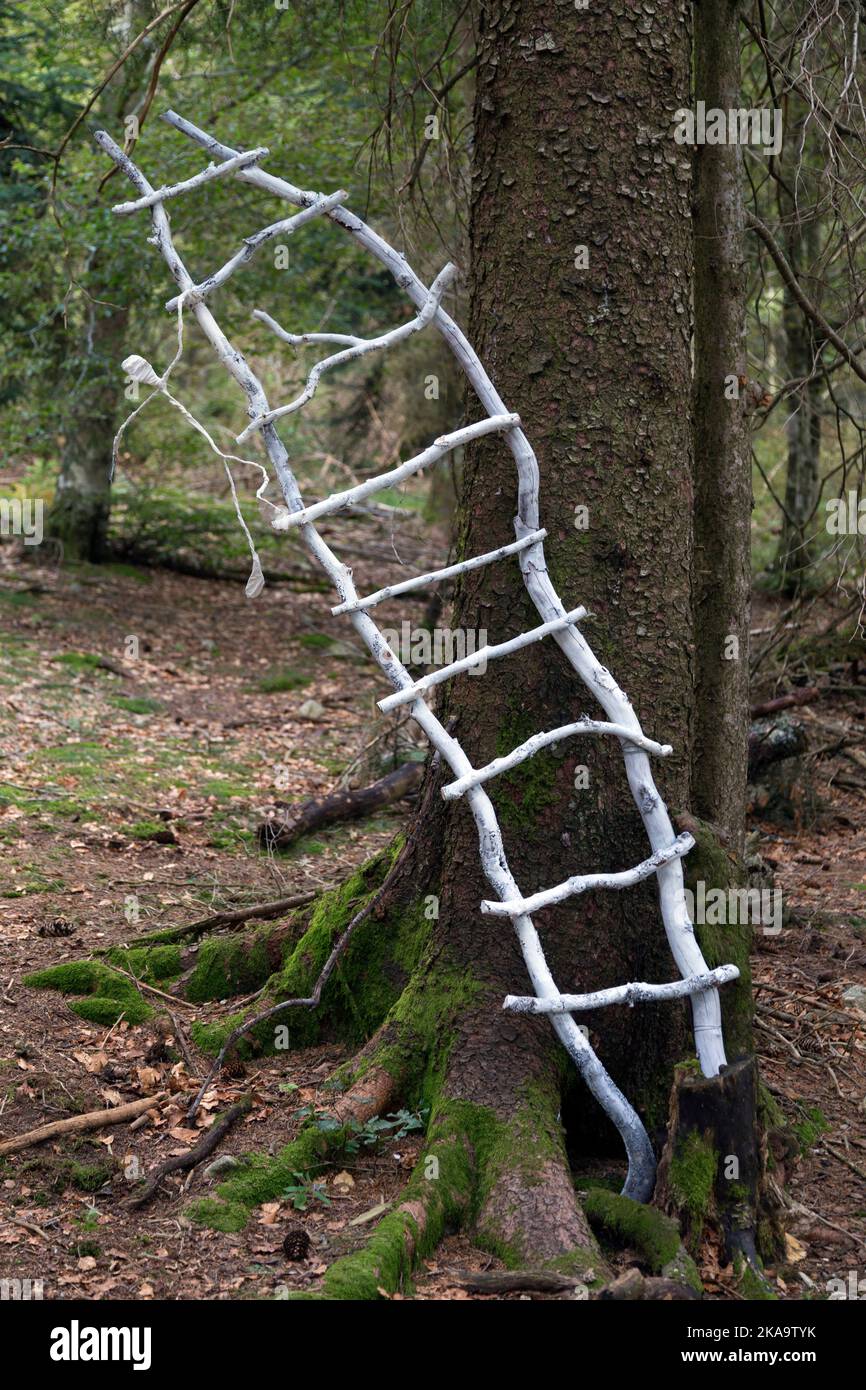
724,490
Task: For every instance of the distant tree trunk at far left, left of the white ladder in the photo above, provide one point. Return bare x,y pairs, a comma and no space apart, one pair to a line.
80,514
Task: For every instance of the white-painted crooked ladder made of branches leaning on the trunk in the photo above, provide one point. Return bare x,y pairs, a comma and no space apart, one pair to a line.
667,850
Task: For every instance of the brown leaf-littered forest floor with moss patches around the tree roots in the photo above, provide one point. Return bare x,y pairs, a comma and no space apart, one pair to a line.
198,737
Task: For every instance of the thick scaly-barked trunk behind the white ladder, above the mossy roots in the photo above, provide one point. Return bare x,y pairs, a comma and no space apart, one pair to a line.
575,151
